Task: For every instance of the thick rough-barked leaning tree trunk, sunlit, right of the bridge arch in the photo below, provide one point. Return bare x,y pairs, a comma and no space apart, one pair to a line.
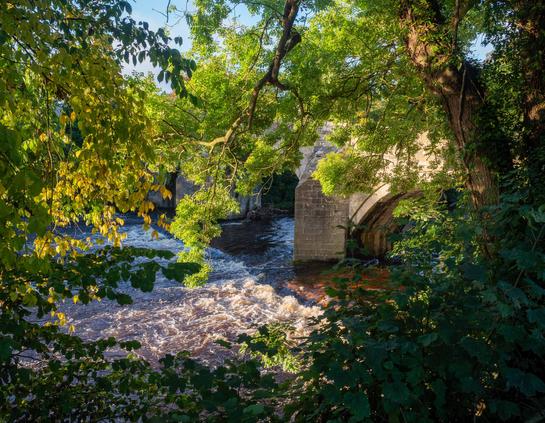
459,93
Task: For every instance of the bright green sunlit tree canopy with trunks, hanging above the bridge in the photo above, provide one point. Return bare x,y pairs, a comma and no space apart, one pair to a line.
382,74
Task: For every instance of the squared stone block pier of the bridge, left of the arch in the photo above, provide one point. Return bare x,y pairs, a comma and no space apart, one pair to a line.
317,237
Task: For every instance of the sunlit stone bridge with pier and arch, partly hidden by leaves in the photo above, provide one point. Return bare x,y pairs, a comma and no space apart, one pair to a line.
320,220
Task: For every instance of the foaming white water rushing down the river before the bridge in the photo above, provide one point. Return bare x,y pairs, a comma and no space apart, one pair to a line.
173,318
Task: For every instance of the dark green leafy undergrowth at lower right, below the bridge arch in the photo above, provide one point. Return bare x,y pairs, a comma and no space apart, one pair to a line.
457,336
